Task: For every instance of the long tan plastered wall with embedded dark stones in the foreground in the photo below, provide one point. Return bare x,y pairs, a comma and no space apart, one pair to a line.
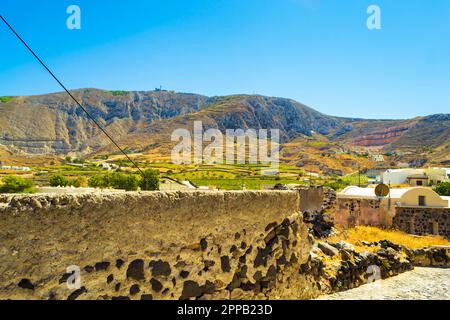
154,245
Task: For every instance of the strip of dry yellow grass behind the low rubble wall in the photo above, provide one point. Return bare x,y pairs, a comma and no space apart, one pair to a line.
373,234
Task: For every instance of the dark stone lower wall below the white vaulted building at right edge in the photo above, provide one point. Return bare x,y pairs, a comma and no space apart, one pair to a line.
423,220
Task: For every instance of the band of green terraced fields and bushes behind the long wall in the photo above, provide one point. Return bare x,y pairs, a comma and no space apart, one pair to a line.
220,176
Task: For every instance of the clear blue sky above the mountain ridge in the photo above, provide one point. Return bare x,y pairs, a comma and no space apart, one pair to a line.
318,52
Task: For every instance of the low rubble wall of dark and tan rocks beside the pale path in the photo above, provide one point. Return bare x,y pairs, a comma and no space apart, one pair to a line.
339,266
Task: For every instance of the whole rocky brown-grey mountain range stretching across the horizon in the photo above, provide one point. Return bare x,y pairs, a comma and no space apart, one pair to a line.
143,121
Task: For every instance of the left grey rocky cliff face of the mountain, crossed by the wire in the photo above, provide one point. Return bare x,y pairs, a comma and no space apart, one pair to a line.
53,123
